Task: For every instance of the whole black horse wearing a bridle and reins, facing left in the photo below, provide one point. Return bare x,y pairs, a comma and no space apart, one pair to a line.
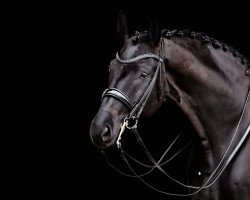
210,84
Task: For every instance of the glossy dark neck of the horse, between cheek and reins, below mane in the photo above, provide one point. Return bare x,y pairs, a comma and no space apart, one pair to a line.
210,86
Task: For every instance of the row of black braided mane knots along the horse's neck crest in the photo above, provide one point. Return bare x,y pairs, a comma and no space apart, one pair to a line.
206,40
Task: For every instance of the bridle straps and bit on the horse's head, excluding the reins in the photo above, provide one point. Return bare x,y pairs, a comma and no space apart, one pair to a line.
135,109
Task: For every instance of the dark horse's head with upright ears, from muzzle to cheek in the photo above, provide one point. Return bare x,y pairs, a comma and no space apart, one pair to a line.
131,75
